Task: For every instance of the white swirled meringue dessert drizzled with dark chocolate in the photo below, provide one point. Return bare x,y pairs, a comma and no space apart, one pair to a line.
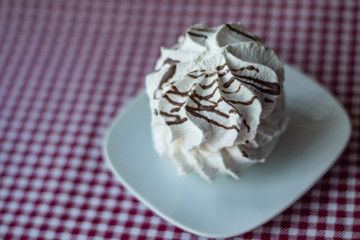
217,101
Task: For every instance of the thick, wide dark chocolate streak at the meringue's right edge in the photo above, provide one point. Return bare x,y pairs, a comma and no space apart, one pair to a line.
266,87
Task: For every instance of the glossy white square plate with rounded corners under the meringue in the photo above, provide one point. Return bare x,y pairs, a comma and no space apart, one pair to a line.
318,131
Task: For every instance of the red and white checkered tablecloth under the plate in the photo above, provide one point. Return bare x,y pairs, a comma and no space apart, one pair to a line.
67,67
